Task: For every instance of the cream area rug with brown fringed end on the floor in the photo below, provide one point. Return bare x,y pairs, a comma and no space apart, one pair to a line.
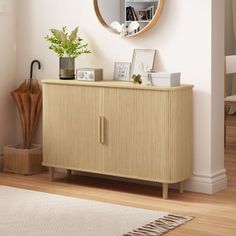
30,213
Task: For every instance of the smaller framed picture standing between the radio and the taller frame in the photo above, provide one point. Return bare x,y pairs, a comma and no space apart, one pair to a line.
122,71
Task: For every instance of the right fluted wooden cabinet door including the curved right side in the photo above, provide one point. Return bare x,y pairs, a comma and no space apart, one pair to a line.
148,134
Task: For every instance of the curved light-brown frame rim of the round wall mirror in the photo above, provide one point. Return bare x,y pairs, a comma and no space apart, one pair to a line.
145,29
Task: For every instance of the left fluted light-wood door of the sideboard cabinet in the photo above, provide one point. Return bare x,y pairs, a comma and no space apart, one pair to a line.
70,127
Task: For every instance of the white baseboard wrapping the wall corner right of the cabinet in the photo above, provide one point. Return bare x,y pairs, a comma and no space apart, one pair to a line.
208,184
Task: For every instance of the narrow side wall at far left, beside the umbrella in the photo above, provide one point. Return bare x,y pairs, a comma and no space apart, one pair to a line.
7,72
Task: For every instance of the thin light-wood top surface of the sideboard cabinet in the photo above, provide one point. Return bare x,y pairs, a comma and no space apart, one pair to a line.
114,84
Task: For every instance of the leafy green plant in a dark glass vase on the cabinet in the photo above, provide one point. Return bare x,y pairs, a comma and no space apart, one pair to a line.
67,47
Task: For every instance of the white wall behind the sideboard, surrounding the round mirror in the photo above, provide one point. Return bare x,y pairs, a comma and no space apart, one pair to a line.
183,37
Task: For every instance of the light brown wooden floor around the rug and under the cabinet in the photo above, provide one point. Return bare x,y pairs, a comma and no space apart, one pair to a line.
214,214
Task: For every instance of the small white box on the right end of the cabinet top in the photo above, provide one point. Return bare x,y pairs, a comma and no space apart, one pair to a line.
162,79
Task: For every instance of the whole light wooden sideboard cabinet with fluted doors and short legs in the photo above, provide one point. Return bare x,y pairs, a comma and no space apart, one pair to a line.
118,129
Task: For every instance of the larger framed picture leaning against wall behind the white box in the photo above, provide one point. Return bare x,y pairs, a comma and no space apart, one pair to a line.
143,61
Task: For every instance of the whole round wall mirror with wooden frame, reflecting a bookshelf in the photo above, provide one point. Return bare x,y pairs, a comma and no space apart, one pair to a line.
128,17
